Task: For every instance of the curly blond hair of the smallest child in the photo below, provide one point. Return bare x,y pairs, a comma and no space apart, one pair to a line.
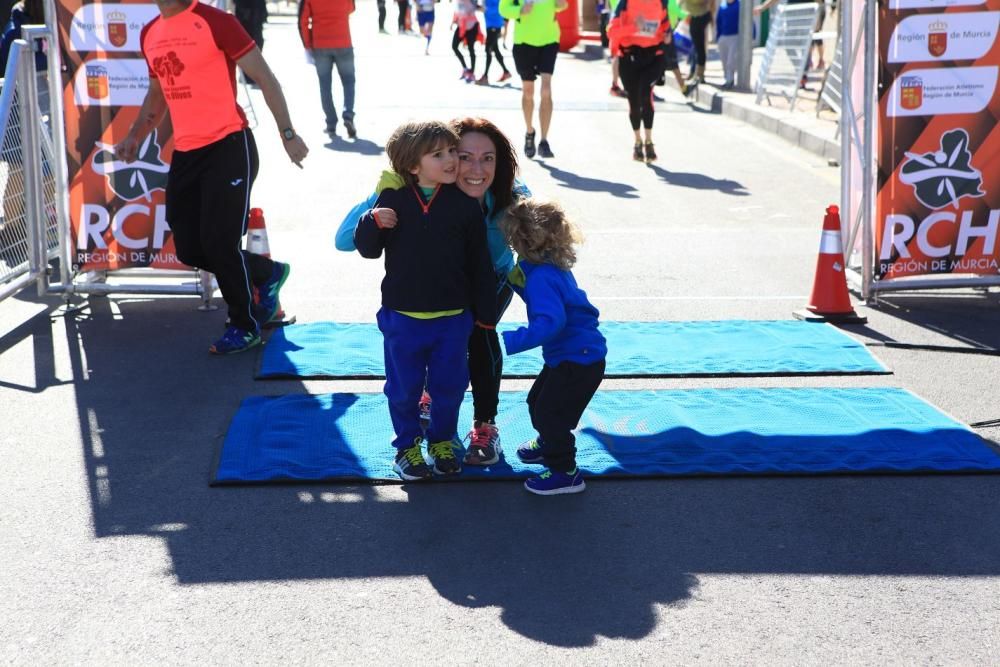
539,232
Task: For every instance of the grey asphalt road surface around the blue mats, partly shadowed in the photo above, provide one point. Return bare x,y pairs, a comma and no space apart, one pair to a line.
114,549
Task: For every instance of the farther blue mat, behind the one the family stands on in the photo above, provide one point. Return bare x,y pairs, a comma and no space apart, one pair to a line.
635,349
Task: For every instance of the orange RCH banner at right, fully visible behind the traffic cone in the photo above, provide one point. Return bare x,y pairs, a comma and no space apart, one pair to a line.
938,204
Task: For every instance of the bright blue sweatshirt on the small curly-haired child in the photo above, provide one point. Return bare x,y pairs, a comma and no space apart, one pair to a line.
560,318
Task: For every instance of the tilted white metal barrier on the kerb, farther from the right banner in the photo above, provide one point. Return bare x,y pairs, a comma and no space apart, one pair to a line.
787,54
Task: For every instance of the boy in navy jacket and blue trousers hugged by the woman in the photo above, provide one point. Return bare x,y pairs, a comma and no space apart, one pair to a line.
438,280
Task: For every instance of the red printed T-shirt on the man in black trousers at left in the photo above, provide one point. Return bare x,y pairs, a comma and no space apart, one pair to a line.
193,54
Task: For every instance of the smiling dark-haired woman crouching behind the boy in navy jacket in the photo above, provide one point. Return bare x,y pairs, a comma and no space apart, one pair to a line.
486,168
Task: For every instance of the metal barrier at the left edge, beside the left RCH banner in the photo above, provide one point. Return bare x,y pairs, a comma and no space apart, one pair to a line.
29,228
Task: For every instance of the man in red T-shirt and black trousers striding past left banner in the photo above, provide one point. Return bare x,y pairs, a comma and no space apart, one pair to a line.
192,50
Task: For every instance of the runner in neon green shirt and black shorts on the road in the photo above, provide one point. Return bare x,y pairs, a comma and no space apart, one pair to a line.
536,43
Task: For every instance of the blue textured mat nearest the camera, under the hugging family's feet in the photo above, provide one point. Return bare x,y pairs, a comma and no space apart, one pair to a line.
345,437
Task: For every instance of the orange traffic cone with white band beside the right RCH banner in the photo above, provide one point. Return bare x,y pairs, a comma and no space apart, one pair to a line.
830,301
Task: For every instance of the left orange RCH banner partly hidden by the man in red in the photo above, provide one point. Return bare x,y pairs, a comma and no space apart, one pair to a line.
117,212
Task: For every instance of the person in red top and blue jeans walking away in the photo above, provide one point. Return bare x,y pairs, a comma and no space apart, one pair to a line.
326,34
